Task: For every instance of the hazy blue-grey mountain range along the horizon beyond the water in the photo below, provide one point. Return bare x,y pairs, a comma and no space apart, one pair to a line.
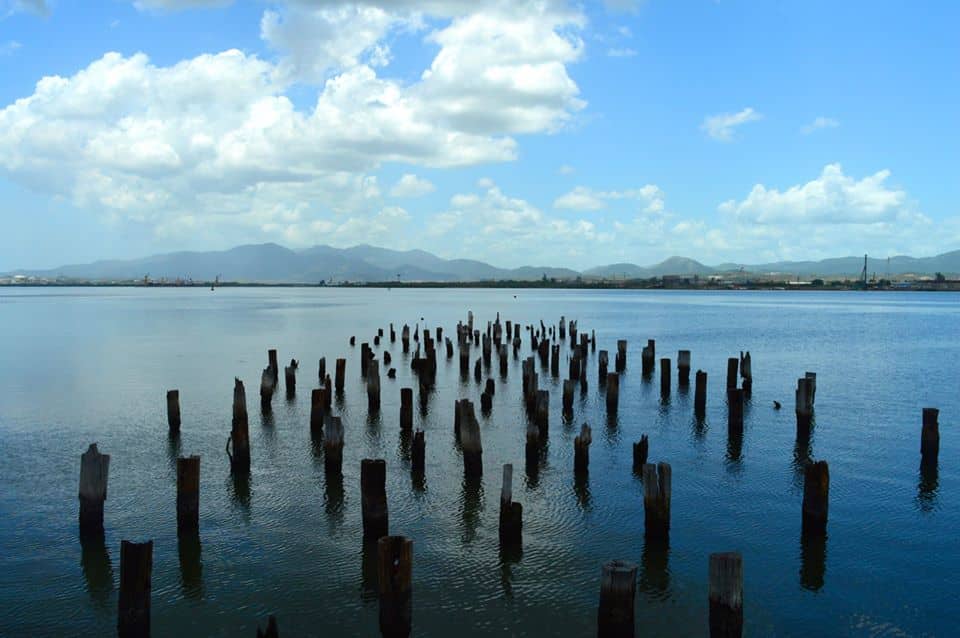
271,263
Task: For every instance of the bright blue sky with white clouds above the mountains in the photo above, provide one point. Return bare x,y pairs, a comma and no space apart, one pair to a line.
541,132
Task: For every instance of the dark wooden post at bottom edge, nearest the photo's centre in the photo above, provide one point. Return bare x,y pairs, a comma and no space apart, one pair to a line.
395,572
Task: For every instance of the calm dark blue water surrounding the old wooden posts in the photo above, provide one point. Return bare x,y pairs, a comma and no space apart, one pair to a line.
84,365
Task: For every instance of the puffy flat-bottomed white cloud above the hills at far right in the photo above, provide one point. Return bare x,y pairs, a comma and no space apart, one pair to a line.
832,198
